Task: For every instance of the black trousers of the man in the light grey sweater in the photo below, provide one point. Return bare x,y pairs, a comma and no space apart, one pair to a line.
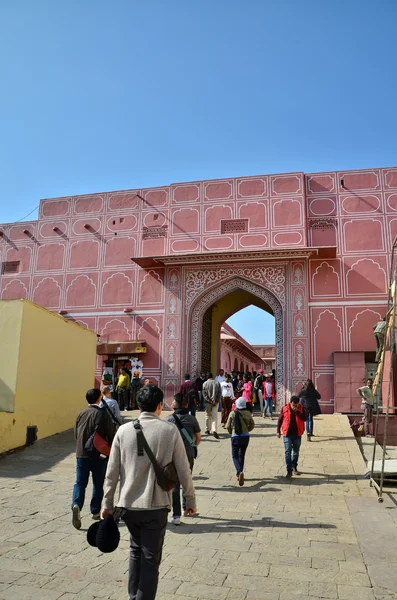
147,531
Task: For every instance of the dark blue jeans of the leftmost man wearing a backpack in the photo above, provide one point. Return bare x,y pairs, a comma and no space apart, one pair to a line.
85,466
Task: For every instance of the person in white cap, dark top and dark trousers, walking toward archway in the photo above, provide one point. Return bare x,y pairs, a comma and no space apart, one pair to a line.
239,424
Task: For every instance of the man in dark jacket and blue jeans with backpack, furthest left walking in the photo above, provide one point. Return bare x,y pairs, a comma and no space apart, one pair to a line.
88,421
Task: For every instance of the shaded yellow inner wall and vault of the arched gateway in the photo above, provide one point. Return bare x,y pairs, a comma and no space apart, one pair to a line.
222,310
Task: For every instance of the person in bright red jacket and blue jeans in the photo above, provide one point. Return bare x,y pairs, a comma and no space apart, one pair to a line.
291,423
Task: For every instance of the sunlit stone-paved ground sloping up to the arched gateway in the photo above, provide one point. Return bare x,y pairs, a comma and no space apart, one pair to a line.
273,539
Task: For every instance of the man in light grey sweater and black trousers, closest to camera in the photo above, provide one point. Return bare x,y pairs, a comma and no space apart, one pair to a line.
145,503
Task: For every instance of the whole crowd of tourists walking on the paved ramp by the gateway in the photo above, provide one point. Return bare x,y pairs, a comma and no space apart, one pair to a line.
149,457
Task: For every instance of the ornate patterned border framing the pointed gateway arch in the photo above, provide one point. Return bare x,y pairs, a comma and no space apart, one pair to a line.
211,295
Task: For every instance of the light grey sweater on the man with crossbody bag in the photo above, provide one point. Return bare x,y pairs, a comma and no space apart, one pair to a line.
139,489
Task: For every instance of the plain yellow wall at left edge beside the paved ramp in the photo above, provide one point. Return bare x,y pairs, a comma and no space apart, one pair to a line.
55,368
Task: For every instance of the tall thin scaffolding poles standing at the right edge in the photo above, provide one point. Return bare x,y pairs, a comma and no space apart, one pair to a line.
388,345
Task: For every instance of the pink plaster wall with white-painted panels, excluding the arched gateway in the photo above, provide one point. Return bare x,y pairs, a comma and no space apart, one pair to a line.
77,257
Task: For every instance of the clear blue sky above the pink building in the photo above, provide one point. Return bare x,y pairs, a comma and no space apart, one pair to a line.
99,95
